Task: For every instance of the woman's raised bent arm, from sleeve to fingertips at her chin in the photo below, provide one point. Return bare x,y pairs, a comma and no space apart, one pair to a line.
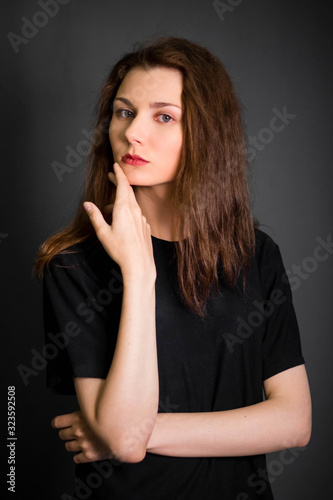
128,398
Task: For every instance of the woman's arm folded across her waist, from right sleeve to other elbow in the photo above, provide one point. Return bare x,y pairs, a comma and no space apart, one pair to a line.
282,421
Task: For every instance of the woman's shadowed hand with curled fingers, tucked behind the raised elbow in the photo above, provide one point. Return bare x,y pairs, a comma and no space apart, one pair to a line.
80,438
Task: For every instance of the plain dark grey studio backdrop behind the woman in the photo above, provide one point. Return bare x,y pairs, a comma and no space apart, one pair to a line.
56,55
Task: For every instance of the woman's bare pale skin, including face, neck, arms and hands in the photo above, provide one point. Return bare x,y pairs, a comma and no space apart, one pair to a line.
147,127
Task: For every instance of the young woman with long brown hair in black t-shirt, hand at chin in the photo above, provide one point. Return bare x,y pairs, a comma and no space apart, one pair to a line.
170,311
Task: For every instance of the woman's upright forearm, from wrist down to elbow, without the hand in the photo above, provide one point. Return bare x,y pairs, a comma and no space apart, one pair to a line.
126,405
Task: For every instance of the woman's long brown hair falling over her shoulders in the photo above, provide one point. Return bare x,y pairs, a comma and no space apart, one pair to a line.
210,190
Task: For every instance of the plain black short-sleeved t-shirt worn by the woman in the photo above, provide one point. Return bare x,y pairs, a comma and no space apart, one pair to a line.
211,364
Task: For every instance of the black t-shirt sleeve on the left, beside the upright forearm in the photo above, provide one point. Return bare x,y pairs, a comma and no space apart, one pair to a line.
81,304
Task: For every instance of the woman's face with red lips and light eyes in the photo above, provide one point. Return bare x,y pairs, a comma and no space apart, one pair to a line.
145,132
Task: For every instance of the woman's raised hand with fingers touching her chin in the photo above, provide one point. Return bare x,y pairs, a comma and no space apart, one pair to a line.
128,239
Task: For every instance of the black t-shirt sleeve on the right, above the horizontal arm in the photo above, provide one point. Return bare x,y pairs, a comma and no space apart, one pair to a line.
281,342
